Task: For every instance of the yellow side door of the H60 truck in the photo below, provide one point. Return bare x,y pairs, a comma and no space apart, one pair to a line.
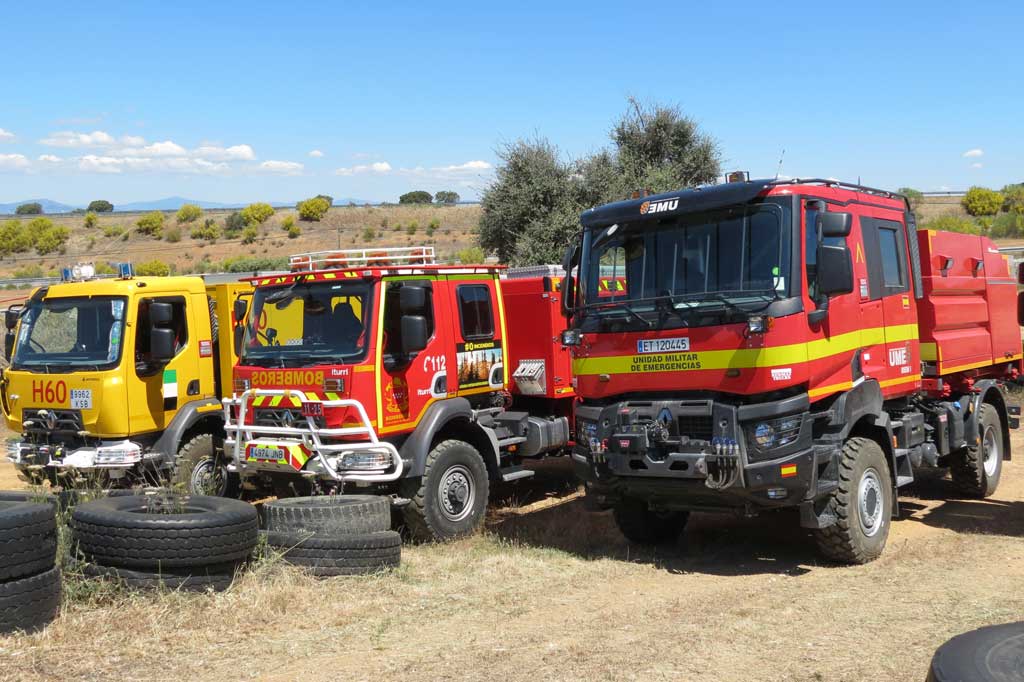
156,392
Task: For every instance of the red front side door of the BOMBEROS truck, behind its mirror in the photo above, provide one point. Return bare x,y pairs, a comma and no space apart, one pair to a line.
410,385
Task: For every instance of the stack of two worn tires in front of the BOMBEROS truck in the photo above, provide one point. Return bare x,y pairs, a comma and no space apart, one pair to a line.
349,535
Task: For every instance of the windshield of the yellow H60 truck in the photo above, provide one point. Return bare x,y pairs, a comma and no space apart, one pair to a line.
63,334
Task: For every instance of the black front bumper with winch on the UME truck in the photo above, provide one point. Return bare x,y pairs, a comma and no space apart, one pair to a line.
695,454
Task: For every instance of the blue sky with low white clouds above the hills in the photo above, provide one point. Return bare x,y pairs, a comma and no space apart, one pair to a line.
260,101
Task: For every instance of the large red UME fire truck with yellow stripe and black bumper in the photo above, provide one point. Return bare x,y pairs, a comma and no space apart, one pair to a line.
785,344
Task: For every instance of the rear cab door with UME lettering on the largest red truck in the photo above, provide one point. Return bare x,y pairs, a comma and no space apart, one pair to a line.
889,286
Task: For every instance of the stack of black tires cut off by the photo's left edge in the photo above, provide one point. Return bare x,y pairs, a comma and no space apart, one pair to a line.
30,580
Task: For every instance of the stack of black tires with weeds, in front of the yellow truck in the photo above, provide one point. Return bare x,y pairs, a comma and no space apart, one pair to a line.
146,542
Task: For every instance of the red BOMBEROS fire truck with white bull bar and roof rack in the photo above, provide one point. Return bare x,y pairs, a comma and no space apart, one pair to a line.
381,371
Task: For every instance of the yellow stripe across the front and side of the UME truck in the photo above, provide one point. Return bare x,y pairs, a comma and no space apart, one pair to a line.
752,358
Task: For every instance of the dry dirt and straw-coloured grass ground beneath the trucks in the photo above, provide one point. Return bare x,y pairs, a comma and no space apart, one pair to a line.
551,592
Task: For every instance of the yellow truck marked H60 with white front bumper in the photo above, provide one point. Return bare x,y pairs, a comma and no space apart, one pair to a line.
118,380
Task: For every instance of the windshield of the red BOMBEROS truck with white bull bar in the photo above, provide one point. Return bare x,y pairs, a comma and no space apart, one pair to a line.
308,324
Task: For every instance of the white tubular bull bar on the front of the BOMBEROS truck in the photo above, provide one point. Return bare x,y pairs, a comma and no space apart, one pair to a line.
350,454
